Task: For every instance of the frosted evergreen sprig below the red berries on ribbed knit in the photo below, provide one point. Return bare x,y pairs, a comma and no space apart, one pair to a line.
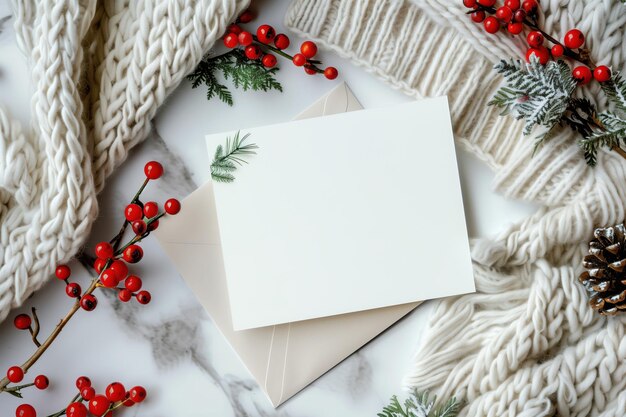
542,96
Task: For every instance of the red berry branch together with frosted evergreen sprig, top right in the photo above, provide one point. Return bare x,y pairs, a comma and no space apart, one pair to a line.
541,92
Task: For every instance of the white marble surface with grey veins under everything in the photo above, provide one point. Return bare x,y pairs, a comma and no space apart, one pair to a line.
171,346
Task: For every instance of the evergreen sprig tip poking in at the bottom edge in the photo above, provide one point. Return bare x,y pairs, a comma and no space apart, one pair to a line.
420,405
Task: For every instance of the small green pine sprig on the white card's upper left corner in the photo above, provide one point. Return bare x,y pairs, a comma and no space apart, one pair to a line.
227,158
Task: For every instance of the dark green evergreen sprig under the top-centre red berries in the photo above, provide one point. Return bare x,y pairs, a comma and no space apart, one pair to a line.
245,73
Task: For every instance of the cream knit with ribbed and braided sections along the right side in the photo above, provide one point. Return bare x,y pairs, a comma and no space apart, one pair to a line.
526,344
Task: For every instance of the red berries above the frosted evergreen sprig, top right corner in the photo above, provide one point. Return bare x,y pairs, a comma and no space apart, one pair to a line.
514,15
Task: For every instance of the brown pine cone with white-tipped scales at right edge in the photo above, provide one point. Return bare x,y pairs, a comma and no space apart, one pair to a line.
605,279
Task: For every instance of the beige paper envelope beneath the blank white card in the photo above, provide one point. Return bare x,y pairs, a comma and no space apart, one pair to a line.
285,358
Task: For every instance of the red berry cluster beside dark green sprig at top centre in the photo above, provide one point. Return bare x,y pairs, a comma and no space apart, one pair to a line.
256,47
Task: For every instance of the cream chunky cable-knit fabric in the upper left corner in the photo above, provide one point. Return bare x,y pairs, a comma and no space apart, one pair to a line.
100,70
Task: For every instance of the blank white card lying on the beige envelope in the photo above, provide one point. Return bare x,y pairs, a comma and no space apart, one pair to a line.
344,213
